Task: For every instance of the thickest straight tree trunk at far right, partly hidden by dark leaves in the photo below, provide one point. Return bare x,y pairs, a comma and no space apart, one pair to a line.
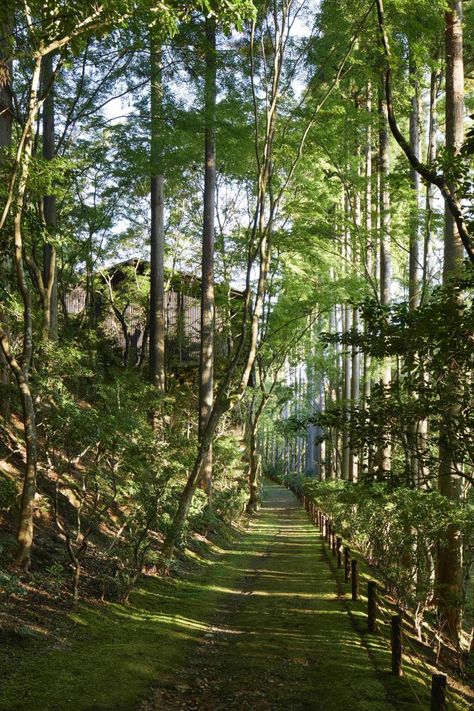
448,583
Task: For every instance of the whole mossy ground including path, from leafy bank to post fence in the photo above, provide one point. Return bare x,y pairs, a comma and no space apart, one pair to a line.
264,624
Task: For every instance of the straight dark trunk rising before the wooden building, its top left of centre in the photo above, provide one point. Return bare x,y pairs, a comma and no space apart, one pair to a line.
157,233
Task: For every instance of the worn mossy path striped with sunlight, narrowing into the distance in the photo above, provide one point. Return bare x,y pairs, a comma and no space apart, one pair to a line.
280,637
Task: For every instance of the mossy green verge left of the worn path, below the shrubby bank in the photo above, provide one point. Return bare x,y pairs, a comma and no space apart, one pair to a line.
116,653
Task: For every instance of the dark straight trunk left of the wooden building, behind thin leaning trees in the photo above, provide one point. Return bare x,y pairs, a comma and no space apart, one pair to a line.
50,282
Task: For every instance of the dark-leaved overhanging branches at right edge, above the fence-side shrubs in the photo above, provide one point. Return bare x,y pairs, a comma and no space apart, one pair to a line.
433,346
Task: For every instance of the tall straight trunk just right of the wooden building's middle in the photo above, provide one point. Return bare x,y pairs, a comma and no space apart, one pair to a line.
206,366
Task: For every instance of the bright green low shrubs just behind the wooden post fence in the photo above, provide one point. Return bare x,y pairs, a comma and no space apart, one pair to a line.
398,529
